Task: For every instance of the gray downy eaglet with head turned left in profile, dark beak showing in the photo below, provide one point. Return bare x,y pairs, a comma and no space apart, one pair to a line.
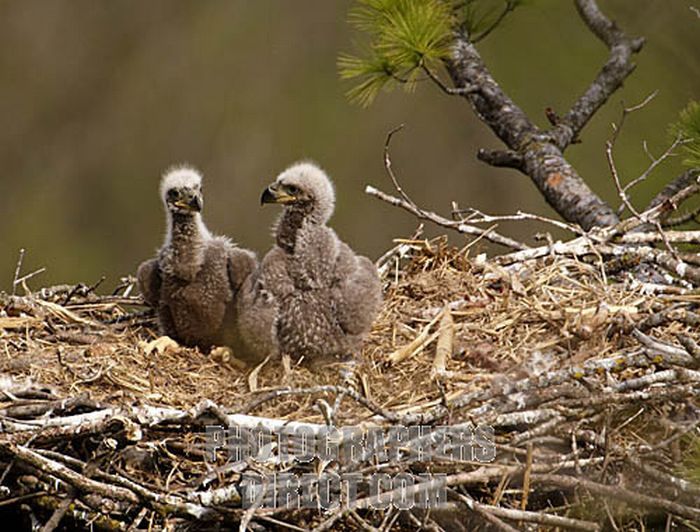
312,296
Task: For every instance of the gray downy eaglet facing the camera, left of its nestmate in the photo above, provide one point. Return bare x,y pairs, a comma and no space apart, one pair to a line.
195,278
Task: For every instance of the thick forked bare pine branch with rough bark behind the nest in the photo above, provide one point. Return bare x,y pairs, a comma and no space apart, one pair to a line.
538,153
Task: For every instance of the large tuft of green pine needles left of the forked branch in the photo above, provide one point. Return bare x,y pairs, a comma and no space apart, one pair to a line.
405,36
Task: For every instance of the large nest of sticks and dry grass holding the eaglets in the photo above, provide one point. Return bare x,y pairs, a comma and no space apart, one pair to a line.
589,380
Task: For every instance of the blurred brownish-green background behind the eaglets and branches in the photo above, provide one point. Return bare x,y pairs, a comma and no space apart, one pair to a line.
97,98
